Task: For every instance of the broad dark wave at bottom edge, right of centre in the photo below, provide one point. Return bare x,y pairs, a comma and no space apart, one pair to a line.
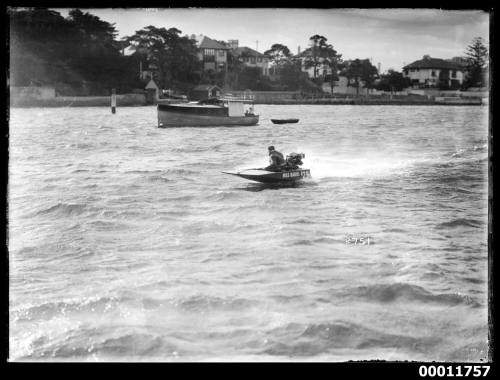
316,339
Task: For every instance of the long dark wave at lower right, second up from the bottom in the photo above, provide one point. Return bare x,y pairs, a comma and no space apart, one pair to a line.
387,293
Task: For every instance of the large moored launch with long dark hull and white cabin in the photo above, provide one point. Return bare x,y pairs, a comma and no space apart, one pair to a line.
224,111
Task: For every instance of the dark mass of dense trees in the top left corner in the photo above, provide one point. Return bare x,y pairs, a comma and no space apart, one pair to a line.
78,54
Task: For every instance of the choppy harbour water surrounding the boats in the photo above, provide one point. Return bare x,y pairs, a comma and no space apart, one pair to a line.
126,242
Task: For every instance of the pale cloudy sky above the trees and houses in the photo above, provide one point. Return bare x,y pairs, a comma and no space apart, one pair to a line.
391,37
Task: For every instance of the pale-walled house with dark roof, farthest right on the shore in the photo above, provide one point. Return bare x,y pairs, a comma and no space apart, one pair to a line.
431,72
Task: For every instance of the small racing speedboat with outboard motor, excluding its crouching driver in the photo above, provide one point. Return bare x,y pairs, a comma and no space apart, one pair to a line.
290,172
